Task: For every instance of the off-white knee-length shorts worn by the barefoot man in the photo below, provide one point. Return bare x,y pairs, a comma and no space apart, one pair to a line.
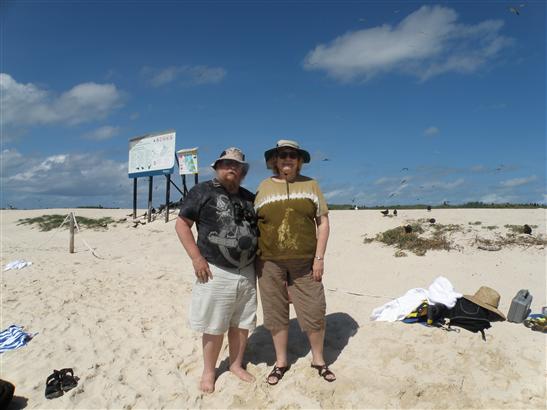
228,300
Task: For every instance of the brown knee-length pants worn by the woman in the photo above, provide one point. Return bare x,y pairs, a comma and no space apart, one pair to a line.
307,295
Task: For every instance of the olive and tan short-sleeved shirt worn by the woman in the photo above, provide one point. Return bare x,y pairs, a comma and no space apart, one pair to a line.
286,218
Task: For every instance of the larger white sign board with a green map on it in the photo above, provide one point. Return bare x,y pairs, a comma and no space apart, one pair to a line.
151,153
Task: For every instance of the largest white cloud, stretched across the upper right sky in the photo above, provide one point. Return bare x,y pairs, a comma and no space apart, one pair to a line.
426,43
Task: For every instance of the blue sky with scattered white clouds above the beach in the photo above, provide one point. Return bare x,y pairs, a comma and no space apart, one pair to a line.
410,102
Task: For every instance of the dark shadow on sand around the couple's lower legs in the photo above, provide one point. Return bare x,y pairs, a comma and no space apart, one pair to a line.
339,328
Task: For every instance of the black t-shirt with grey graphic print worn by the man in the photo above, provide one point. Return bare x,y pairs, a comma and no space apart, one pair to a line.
226,223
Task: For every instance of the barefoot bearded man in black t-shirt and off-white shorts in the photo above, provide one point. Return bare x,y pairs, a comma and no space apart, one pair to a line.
224,295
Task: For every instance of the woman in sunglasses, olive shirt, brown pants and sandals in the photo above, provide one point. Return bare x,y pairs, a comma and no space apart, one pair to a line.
294,229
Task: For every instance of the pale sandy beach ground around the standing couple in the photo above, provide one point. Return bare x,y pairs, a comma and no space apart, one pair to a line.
120,320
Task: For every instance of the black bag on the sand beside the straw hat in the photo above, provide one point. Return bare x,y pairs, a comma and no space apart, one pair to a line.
470,316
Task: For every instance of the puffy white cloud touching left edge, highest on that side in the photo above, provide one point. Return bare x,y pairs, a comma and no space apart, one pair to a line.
28,104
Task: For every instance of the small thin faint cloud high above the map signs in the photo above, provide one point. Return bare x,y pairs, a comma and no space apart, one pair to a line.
186,75
